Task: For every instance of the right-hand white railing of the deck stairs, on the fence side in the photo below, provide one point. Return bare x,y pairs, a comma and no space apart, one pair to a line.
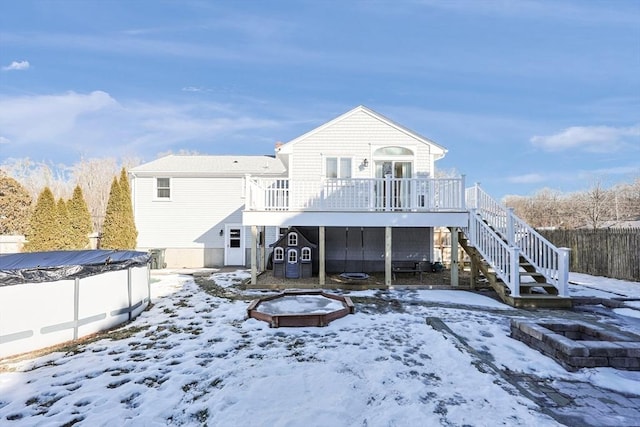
547,259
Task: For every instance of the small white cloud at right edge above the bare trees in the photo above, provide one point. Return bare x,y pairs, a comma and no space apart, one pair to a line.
588,138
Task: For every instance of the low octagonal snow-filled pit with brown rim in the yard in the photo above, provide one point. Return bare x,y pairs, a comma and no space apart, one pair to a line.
300,308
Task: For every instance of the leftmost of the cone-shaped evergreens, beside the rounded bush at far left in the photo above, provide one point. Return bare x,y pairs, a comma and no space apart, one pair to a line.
43,224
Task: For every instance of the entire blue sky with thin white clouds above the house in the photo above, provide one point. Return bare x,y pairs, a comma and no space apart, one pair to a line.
524,94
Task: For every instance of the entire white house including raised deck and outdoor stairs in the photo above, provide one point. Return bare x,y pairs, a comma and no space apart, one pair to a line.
361,187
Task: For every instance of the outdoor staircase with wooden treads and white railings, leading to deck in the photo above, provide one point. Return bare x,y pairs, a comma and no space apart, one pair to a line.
504,257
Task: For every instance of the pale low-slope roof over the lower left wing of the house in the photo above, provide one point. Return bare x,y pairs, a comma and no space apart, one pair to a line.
201,165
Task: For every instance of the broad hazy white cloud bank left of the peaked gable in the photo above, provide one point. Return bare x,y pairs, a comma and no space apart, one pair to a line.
63,127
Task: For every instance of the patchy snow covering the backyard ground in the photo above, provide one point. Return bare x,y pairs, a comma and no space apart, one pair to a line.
194,359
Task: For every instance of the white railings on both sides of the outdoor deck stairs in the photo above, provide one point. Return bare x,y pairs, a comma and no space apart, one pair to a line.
523,240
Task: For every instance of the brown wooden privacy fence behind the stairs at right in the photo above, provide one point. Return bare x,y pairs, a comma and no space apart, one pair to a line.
610,252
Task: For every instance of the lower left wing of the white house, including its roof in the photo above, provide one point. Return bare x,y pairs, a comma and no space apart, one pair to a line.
191,206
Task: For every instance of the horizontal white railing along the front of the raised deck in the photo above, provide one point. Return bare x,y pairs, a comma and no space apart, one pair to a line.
362,194
